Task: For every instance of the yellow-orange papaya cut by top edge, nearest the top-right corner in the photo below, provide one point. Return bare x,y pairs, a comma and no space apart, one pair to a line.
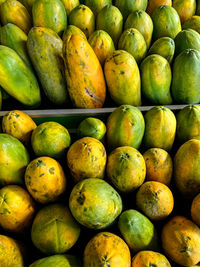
185,8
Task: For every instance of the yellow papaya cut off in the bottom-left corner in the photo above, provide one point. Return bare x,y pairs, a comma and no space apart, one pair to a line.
10,254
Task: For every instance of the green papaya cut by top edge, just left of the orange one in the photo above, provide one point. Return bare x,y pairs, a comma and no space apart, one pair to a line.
128,6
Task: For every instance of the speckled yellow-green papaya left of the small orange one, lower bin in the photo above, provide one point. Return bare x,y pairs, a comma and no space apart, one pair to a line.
126,168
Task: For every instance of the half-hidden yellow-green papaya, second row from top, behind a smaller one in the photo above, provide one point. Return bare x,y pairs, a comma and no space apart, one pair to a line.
141,21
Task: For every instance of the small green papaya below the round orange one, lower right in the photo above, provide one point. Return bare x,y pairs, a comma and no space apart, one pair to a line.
138,231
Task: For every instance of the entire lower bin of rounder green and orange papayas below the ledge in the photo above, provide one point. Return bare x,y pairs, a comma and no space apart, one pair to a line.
102,196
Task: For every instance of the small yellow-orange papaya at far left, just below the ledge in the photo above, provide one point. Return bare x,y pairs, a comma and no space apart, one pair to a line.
18,124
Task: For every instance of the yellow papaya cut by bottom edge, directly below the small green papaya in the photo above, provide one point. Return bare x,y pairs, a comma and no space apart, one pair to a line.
149,258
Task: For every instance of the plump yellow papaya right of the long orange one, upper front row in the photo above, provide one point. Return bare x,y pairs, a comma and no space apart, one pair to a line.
123,78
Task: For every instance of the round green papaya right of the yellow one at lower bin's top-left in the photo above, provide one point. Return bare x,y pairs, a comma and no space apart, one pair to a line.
50,139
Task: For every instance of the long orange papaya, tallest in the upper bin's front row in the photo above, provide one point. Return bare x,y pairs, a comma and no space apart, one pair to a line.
84,74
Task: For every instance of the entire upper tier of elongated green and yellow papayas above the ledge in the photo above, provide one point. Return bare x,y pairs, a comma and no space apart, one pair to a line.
81,55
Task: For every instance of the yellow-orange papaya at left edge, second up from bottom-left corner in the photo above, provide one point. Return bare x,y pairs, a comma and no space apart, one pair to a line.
16,209
